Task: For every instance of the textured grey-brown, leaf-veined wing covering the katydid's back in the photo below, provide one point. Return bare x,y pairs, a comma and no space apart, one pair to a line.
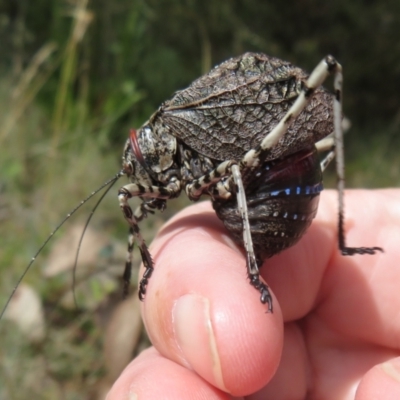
231,109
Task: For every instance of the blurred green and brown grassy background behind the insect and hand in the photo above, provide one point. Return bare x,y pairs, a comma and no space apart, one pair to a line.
74,77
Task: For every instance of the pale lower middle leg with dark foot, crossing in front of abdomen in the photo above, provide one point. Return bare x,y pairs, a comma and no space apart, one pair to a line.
252,268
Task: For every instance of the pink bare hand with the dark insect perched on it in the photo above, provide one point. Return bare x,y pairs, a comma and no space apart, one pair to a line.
334,333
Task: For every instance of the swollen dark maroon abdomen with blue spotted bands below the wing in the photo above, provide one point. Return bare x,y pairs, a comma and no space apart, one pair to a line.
282,200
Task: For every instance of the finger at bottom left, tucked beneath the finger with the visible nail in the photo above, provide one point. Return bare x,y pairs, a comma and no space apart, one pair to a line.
152,377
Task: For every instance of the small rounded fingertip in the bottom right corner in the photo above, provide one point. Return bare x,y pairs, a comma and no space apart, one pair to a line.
381,382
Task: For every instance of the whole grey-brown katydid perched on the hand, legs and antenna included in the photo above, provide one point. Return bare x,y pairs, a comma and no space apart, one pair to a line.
247,135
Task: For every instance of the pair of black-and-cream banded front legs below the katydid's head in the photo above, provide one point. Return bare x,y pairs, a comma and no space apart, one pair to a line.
158,196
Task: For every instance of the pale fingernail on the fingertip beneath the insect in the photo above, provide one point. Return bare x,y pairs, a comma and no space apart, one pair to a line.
195,336
